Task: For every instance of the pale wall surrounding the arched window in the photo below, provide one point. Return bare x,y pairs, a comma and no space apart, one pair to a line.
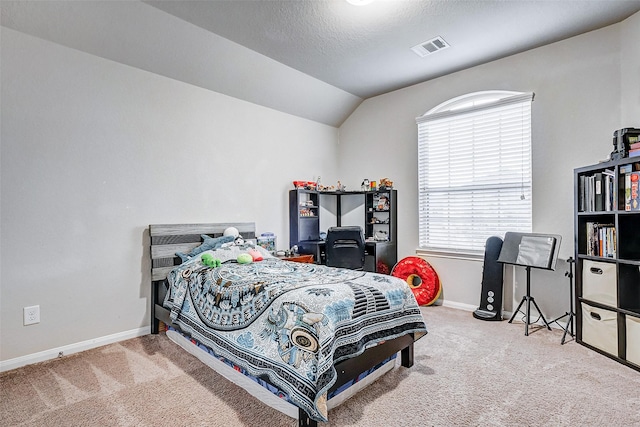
578,104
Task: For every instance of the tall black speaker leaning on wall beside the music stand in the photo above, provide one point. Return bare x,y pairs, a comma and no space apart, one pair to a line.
492,282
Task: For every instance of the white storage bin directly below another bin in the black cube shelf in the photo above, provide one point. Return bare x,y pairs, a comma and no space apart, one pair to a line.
600,328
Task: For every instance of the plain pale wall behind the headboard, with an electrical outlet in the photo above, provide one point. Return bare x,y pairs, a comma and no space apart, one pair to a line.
92,152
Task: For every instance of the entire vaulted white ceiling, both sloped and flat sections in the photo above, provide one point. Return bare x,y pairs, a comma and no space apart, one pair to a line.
317,59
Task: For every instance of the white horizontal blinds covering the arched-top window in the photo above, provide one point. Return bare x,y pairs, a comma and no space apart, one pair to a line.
474,171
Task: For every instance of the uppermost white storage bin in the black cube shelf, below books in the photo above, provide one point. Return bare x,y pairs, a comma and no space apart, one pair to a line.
599,282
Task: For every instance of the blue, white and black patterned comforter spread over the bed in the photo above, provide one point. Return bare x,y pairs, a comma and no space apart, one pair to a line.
290,321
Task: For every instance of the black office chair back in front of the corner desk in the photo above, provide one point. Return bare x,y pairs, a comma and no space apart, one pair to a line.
345,247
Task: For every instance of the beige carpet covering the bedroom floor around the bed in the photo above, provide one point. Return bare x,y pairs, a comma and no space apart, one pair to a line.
467,372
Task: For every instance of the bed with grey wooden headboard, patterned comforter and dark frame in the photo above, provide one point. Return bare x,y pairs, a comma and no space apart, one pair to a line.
294,335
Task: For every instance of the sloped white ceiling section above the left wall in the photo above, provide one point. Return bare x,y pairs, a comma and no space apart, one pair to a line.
145,37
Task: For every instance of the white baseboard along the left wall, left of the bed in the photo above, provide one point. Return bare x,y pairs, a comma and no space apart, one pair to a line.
7,365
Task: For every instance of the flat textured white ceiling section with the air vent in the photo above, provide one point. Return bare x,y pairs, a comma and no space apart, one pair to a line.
366,50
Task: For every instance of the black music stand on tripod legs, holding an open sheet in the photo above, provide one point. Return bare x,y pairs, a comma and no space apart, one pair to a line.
530,250
